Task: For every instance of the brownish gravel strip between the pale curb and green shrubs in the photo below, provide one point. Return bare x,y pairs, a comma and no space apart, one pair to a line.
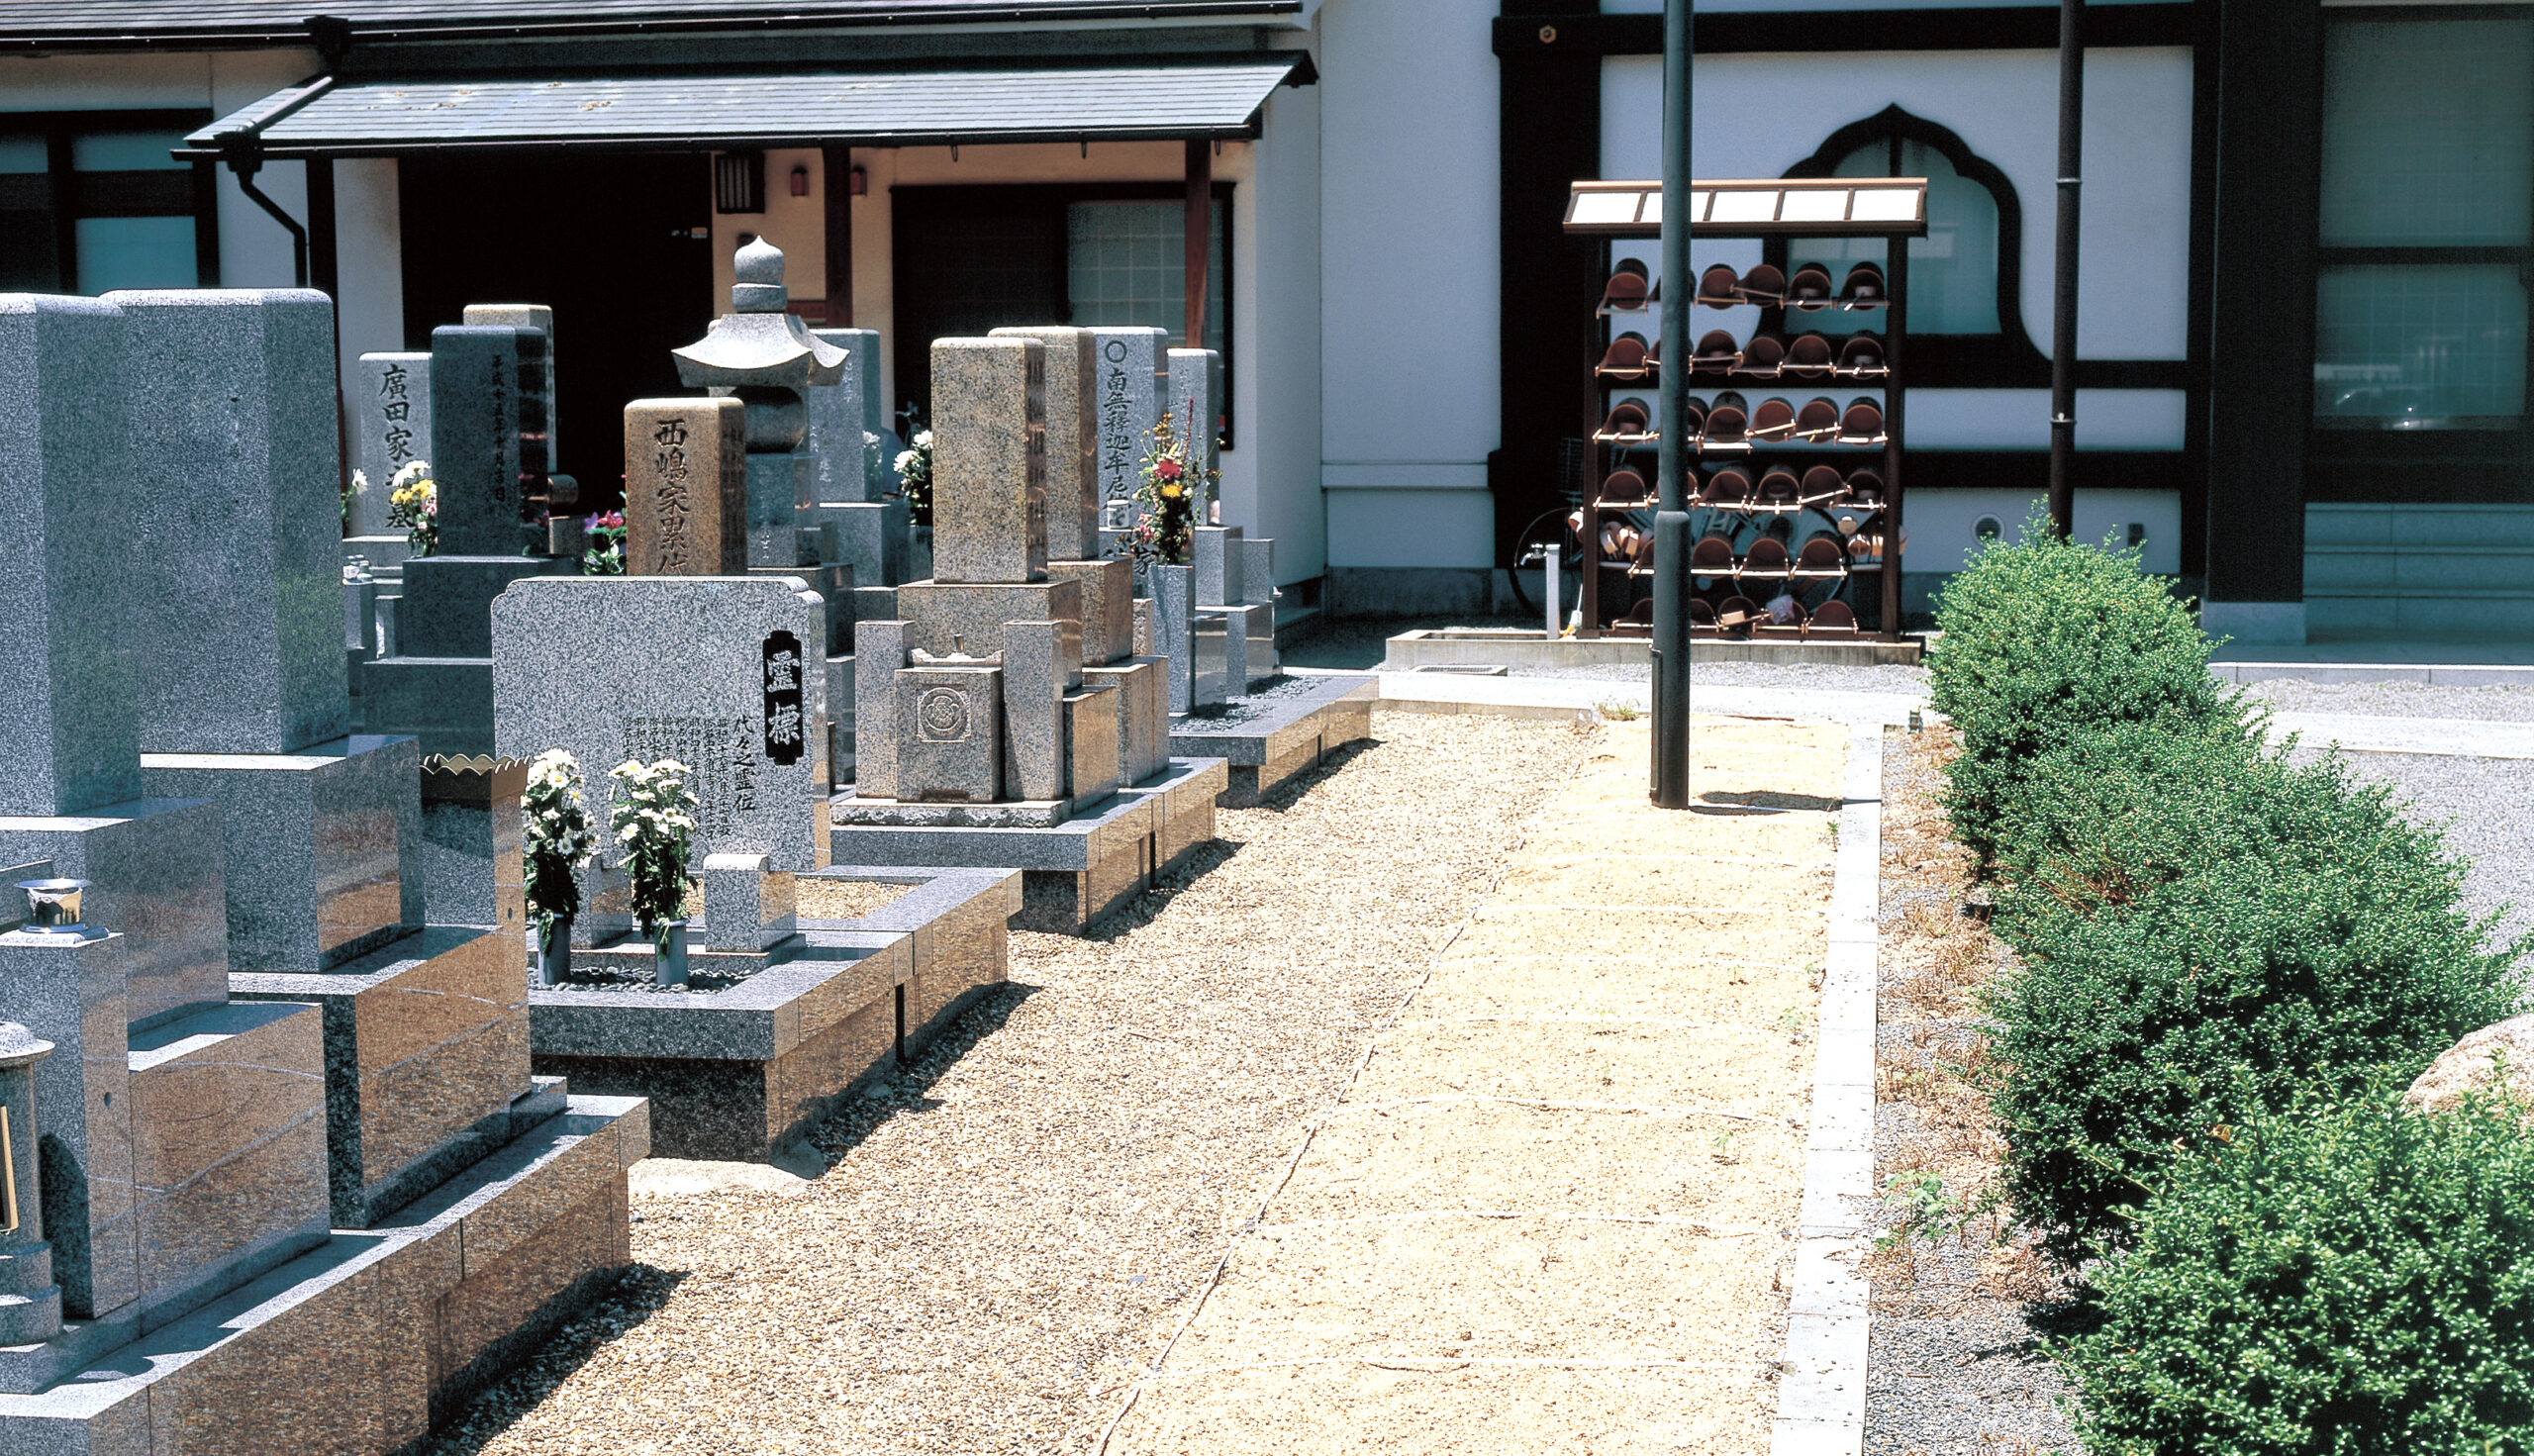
1955,1364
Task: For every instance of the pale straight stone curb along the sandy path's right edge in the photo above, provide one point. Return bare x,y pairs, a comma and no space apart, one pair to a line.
1821,1396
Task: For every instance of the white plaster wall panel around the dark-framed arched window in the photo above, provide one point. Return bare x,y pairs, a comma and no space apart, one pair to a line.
1760,115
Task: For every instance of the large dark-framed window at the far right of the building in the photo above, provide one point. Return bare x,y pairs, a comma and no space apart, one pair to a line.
2426,224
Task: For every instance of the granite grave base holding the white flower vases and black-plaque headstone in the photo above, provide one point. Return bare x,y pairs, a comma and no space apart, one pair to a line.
761,1047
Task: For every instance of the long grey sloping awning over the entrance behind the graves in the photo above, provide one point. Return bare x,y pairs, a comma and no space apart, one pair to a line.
718,113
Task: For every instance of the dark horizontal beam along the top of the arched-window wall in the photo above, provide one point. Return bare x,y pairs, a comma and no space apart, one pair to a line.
1950,29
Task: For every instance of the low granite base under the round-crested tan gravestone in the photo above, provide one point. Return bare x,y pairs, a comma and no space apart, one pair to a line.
1081,870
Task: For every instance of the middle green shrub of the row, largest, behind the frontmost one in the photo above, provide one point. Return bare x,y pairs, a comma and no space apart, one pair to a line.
2211,933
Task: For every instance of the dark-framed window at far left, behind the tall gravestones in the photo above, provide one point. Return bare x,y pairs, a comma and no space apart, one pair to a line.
92,201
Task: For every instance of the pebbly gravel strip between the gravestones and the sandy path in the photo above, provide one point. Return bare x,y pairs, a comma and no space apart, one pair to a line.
1012,1232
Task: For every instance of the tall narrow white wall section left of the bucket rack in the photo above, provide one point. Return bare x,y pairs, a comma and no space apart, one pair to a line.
1408,282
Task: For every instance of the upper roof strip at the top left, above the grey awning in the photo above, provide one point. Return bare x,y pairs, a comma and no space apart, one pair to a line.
285,22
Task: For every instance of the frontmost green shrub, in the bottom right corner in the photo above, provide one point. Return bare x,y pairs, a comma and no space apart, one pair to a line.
2338,1283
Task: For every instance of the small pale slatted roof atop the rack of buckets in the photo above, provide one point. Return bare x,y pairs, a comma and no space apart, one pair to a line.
1767,209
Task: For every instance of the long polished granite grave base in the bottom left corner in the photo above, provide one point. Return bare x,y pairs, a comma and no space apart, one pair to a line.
376,1338
